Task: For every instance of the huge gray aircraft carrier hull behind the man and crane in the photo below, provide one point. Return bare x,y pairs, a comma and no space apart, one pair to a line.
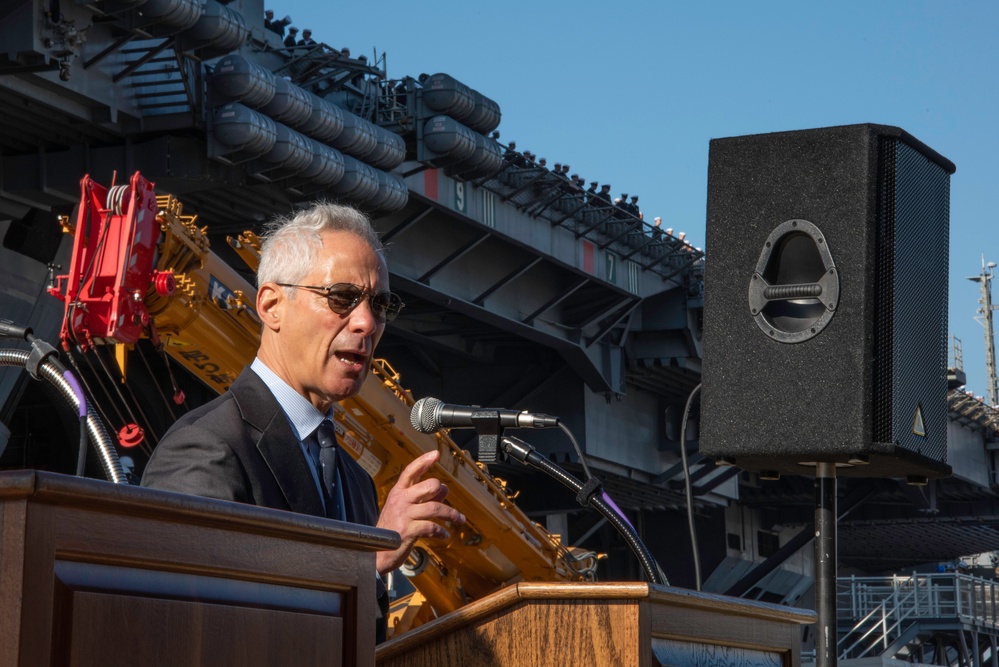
523,288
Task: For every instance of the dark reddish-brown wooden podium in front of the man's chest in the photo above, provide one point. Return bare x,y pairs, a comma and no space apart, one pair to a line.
93,573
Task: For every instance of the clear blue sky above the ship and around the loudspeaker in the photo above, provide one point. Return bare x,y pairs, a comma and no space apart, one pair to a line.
630,93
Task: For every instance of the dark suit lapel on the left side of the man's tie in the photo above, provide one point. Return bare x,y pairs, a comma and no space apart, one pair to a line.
277,444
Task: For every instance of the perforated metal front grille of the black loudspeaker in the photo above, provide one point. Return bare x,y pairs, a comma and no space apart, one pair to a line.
912,258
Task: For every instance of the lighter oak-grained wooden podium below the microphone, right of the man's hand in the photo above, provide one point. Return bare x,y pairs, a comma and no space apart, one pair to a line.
612,624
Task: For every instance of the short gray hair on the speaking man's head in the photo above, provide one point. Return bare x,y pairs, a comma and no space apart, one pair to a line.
292,242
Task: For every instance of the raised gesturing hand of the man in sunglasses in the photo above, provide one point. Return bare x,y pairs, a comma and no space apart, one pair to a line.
414,509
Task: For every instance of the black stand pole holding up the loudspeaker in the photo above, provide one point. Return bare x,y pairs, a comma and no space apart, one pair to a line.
825,565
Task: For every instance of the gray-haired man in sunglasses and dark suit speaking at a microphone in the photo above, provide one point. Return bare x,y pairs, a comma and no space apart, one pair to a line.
323,302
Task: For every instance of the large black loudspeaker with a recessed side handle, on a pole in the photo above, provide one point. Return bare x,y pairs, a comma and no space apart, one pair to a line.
825,303
